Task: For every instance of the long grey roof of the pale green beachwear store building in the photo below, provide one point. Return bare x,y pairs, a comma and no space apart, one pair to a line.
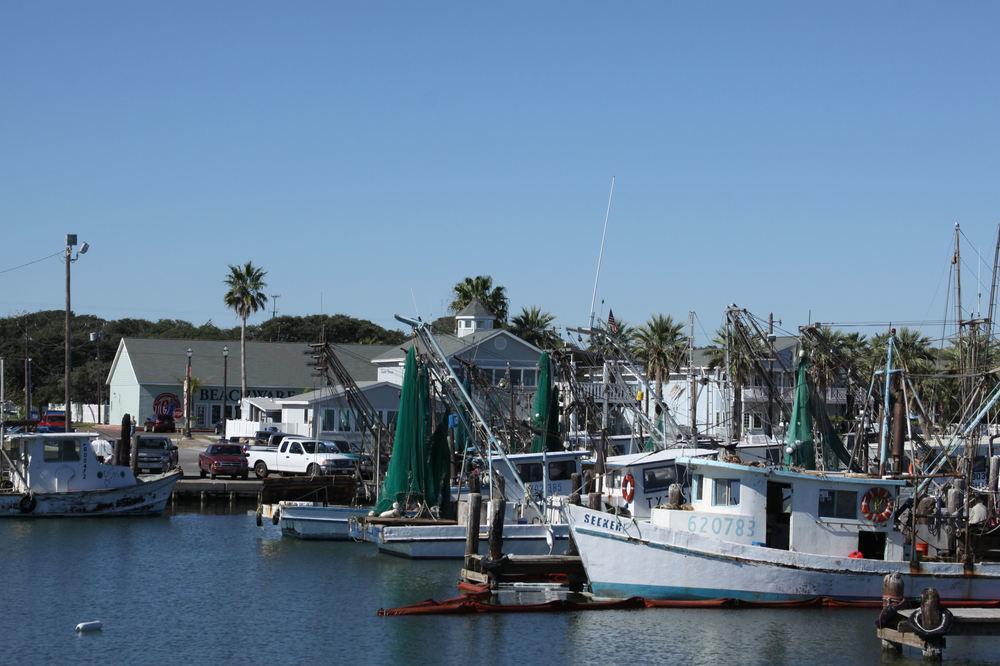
269,364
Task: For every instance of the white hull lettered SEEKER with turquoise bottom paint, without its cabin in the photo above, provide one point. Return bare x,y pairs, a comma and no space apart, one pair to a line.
625,558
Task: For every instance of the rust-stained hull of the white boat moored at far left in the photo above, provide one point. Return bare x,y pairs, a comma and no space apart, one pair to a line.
147,497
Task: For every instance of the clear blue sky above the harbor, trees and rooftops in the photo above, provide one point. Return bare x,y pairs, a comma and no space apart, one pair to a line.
805,159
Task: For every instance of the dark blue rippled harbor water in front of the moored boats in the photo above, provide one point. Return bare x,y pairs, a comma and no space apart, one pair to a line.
192,588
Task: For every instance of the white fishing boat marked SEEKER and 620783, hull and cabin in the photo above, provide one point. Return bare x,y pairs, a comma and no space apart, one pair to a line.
759,533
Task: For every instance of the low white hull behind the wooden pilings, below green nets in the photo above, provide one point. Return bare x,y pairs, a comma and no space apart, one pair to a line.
447,542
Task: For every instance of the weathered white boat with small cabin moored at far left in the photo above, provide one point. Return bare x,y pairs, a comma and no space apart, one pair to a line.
61,475
